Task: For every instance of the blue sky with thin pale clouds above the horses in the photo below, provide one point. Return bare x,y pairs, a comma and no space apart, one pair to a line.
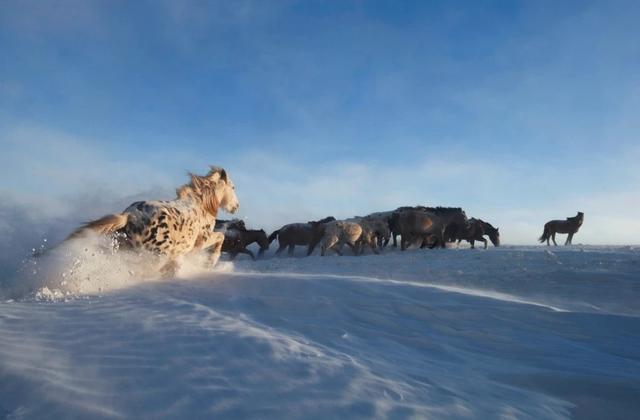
517,111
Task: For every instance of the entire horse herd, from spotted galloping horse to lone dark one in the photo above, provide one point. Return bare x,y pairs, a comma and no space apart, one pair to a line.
188,224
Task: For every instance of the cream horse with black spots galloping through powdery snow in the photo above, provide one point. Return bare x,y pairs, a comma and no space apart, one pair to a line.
174,228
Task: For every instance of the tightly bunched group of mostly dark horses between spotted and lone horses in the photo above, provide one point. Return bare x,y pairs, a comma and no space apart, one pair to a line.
419,225
